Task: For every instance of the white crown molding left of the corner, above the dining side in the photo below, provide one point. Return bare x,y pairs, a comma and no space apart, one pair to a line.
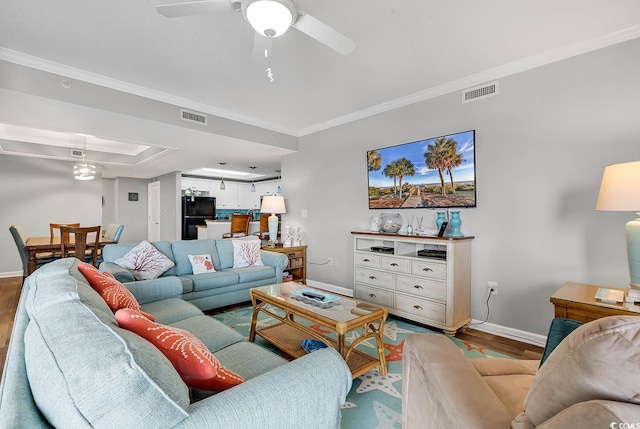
119,85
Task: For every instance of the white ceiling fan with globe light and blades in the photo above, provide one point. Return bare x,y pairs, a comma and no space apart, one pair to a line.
270,18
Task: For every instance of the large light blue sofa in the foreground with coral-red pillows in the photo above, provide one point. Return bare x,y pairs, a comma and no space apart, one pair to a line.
70,365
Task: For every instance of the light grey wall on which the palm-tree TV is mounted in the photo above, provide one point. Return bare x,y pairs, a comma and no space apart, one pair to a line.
541,147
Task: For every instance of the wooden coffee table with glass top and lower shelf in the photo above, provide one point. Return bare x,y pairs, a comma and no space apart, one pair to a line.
342,317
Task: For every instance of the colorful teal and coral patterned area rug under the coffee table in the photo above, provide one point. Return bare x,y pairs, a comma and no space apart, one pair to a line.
375,400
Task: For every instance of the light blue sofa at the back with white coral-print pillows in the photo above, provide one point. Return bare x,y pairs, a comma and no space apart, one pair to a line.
207,291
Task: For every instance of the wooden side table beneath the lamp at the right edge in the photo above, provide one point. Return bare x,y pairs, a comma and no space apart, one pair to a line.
576,301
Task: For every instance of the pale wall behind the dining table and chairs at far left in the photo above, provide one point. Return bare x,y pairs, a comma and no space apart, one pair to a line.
35,192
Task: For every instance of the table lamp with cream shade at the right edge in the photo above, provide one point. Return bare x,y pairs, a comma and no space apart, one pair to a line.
620,191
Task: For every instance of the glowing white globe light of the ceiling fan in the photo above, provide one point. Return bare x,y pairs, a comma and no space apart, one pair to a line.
270,18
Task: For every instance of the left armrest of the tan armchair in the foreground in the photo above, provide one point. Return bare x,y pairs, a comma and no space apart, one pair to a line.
440,386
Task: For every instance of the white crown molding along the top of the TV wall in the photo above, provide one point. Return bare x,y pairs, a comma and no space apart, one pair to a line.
512,68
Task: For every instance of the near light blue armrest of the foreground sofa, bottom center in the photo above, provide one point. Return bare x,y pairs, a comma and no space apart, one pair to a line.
305,393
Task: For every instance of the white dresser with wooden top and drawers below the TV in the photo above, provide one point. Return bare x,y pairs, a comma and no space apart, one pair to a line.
434,290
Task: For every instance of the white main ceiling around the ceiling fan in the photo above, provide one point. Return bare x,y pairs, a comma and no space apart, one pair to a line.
404,48
